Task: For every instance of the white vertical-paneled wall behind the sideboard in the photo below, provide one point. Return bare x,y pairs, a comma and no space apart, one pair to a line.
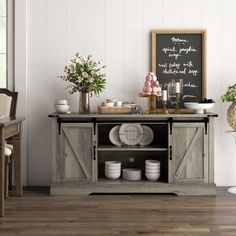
117,31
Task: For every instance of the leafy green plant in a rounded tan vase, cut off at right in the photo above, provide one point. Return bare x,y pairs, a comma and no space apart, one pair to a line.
230,96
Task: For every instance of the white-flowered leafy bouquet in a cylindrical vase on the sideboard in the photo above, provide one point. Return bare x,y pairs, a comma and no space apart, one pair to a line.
85,76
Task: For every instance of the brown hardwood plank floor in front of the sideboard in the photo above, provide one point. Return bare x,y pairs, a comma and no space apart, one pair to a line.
37,213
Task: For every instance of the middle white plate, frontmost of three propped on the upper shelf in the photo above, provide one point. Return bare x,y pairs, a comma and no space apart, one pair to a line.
131,134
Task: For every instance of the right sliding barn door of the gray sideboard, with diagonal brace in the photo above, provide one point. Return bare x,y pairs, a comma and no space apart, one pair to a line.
189,160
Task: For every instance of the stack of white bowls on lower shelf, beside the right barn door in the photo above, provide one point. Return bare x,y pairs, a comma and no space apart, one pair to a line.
152,170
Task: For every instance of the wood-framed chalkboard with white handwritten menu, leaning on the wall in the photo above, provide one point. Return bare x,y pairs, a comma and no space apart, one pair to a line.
180,54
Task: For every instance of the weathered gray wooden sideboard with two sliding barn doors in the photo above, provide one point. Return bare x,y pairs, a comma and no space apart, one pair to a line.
183,143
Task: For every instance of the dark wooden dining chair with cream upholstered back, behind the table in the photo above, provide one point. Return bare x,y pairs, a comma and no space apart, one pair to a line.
8,102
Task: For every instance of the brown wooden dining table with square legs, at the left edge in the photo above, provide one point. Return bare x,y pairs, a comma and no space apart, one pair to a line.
10,128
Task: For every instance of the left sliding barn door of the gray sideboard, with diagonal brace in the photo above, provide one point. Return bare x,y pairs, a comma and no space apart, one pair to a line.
76,152
